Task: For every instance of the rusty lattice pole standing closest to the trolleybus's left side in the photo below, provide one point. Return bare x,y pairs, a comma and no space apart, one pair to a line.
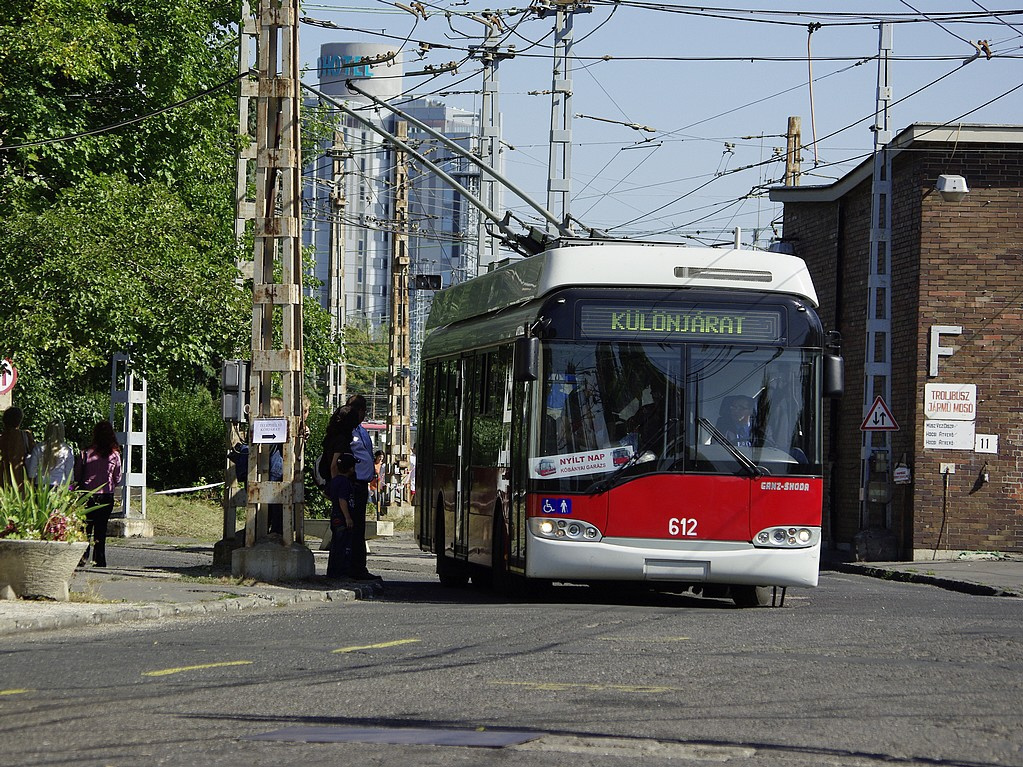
399,384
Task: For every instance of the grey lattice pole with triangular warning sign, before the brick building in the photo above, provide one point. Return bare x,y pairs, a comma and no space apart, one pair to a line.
875,537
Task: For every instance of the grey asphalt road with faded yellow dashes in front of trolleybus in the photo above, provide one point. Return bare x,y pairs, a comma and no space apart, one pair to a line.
858,672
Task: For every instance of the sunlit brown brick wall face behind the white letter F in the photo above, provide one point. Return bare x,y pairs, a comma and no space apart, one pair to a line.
970,255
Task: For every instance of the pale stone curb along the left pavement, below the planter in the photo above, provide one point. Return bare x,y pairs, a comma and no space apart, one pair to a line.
128,613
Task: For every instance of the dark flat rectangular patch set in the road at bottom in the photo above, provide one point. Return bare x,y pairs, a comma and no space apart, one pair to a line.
398,737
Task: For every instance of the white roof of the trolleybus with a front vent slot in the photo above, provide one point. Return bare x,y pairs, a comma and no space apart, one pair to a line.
621,264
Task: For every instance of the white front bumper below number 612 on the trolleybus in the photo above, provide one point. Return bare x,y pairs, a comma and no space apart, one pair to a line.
677,562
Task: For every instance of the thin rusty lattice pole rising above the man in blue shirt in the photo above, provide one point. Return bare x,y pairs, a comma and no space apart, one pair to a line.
337,373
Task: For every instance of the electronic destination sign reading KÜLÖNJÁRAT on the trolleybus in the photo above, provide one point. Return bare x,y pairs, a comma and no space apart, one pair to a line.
602,322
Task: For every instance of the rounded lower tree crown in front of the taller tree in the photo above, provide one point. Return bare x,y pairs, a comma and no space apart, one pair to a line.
114,267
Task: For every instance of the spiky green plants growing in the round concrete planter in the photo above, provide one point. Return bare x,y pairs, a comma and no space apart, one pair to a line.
41,513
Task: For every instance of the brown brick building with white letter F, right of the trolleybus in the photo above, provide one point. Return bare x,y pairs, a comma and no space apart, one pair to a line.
954,265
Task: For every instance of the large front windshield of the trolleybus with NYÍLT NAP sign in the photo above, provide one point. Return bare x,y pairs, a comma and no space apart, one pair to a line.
613,412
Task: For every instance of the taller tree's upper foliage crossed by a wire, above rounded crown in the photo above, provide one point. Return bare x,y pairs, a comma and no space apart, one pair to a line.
76,67
